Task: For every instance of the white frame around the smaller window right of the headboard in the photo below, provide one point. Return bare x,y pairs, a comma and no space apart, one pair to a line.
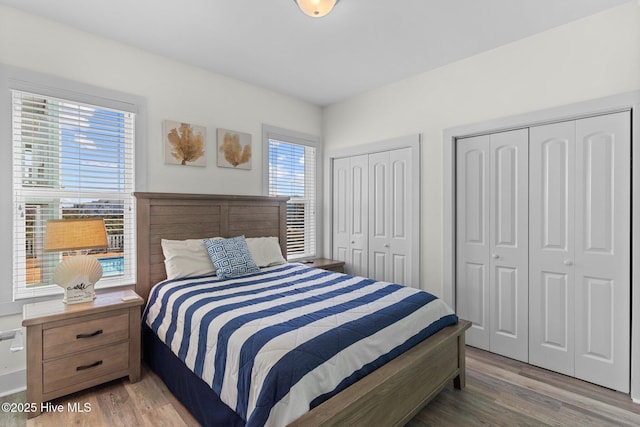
303,139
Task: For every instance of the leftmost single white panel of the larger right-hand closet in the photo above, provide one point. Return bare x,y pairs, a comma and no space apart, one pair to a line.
472,238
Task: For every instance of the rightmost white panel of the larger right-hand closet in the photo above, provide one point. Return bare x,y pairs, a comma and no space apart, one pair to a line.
602,255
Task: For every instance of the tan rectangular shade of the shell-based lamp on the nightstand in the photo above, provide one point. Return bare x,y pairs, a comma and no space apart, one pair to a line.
75,234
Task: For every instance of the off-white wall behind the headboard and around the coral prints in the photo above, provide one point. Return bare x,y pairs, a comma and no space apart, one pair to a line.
172,91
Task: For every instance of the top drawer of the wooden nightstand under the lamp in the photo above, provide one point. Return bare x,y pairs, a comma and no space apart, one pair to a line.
84,335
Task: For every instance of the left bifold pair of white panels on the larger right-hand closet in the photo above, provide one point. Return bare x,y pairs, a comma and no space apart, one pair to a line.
492,245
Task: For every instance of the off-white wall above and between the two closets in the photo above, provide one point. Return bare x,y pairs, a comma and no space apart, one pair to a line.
594,57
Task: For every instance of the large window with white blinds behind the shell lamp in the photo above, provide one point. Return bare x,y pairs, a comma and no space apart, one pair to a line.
70,160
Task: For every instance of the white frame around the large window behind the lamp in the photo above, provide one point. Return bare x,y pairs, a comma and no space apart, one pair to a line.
14,78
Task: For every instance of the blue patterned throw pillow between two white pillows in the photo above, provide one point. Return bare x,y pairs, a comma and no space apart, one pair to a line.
231,257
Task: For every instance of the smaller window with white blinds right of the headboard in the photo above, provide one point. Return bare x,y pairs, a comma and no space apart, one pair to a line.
291,171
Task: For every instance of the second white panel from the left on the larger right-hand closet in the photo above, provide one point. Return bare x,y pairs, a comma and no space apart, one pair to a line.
509,249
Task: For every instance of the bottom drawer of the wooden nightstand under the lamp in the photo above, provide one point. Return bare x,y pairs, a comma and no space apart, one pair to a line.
66,372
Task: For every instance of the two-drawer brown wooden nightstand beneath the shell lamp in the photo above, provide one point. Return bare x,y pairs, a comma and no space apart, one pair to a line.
71,347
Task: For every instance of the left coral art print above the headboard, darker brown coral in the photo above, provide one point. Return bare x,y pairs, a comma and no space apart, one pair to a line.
184,143
